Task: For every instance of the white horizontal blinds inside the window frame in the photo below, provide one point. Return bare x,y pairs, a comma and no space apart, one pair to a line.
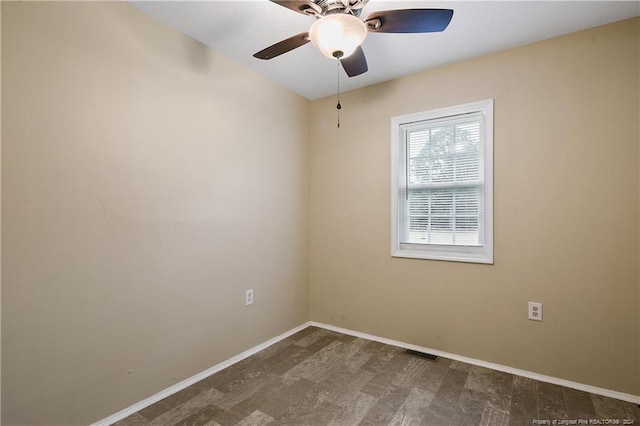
441,200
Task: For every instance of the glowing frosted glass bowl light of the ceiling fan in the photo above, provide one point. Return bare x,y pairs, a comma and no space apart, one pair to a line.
338,35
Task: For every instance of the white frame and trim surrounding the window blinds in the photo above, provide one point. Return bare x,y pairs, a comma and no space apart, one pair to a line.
475,254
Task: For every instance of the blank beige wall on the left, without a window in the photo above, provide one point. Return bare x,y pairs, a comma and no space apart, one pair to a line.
147,181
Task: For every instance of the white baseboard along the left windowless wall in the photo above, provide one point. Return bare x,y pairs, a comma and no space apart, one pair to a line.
194,379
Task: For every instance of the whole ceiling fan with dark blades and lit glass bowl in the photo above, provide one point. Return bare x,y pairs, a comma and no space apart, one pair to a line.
339,31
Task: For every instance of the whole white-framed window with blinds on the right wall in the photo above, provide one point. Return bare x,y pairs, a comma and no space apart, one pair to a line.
442,184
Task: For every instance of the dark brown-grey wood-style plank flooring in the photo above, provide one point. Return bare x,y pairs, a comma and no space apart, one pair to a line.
320,377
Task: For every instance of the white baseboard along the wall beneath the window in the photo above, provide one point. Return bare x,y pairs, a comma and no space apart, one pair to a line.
515,371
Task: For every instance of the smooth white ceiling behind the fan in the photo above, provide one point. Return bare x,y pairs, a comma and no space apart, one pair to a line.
239,28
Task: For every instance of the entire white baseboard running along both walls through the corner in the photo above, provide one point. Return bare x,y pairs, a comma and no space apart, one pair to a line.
221,366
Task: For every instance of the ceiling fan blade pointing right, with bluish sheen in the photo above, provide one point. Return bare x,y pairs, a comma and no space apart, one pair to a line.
409,21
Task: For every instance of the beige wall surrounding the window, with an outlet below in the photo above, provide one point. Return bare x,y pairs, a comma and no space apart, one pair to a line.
566,213
